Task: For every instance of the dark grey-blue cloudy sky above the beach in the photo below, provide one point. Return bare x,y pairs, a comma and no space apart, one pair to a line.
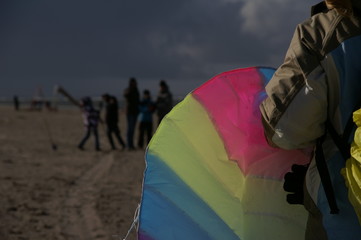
94,46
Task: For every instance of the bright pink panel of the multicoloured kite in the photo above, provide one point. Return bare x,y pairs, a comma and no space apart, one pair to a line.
232,101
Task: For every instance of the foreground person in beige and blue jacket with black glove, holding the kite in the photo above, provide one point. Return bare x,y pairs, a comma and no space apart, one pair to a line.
309,100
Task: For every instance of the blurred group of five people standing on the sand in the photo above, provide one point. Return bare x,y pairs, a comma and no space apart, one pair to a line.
137,108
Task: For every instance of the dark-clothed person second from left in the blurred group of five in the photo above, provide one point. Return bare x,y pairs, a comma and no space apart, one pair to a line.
111,119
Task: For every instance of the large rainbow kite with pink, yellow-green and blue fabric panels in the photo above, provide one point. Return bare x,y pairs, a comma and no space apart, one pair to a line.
210,173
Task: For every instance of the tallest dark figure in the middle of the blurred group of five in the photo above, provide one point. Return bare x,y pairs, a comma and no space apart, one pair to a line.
131,95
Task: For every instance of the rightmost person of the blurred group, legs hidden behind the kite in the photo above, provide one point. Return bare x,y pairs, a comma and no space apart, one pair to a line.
164,101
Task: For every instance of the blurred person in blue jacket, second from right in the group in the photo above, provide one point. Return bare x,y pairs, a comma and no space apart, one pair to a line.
146,108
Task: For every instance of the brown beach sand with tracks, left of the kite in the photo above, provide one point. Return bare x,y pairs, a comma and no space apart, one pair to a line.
65,193
